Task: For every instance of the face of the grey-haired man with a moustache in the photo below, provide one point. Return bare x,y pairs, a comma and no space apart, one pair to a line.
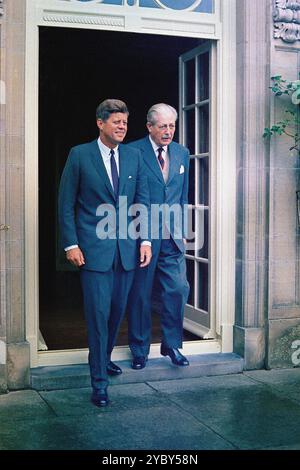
162,132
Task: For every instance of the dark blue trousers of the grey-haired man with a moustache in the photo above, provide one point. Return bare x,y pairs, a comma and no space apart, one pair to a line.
168,268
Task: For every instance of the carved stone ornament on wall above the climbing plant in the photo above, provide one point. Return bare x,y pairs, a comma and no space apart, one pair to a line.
286,17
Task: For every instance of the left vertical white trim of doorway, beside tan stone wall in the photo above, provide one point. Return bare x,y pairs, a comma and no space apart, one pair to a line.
31,184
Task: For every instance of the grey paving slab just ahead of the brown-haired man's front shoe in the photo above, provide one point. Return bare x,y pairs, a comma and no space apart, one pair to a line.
155,428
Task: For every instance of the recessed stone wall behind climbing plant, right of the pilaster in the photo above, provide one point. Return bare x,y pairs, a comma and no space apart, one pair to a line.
284,281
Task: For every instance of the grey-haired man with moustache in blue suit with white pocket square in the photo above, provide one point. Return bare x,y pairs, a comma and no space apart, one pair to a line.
167,167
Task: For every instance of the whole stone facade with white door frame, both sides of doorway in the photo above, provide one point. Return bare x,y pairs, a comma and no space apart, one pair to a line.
258,221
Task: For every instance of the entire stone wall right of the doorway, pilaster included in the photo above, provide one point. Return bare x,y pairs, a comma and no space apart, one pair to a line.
267,329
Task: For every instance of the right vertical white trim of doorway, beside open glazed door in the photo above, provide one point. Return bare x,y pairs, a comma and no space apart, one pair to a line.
226,175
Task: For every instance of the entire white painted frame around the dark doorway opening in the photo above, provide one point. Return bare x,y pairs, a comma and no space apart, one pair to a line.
219,26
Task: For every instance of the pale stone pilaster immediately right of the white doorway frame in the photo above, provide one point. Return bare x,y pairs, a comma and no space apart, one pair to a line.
253,58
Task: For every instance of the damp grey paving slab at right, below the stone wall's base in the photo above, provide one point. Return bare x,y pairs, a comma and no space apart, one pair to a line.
250,416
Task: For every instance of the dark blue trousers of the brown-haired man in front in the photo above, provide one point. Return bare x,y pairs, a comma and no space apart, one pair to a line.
105,297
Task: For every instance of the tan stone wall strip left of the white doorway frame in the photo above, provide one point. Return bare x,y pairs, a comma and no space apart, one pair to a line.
12,327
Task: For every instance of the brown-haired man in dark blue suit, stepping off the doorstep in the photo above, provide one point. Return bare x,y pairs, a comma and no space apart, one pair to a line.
99,177
